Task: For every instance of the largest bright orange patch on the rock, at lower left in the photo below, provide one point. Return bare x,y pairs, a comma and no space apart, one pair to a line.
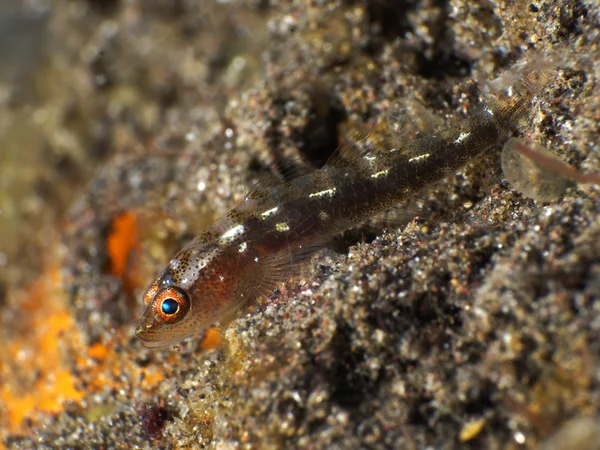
49,353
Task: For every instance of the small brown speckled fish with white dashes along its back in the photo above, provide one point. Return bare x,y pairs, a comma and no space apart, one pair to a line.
245,253
